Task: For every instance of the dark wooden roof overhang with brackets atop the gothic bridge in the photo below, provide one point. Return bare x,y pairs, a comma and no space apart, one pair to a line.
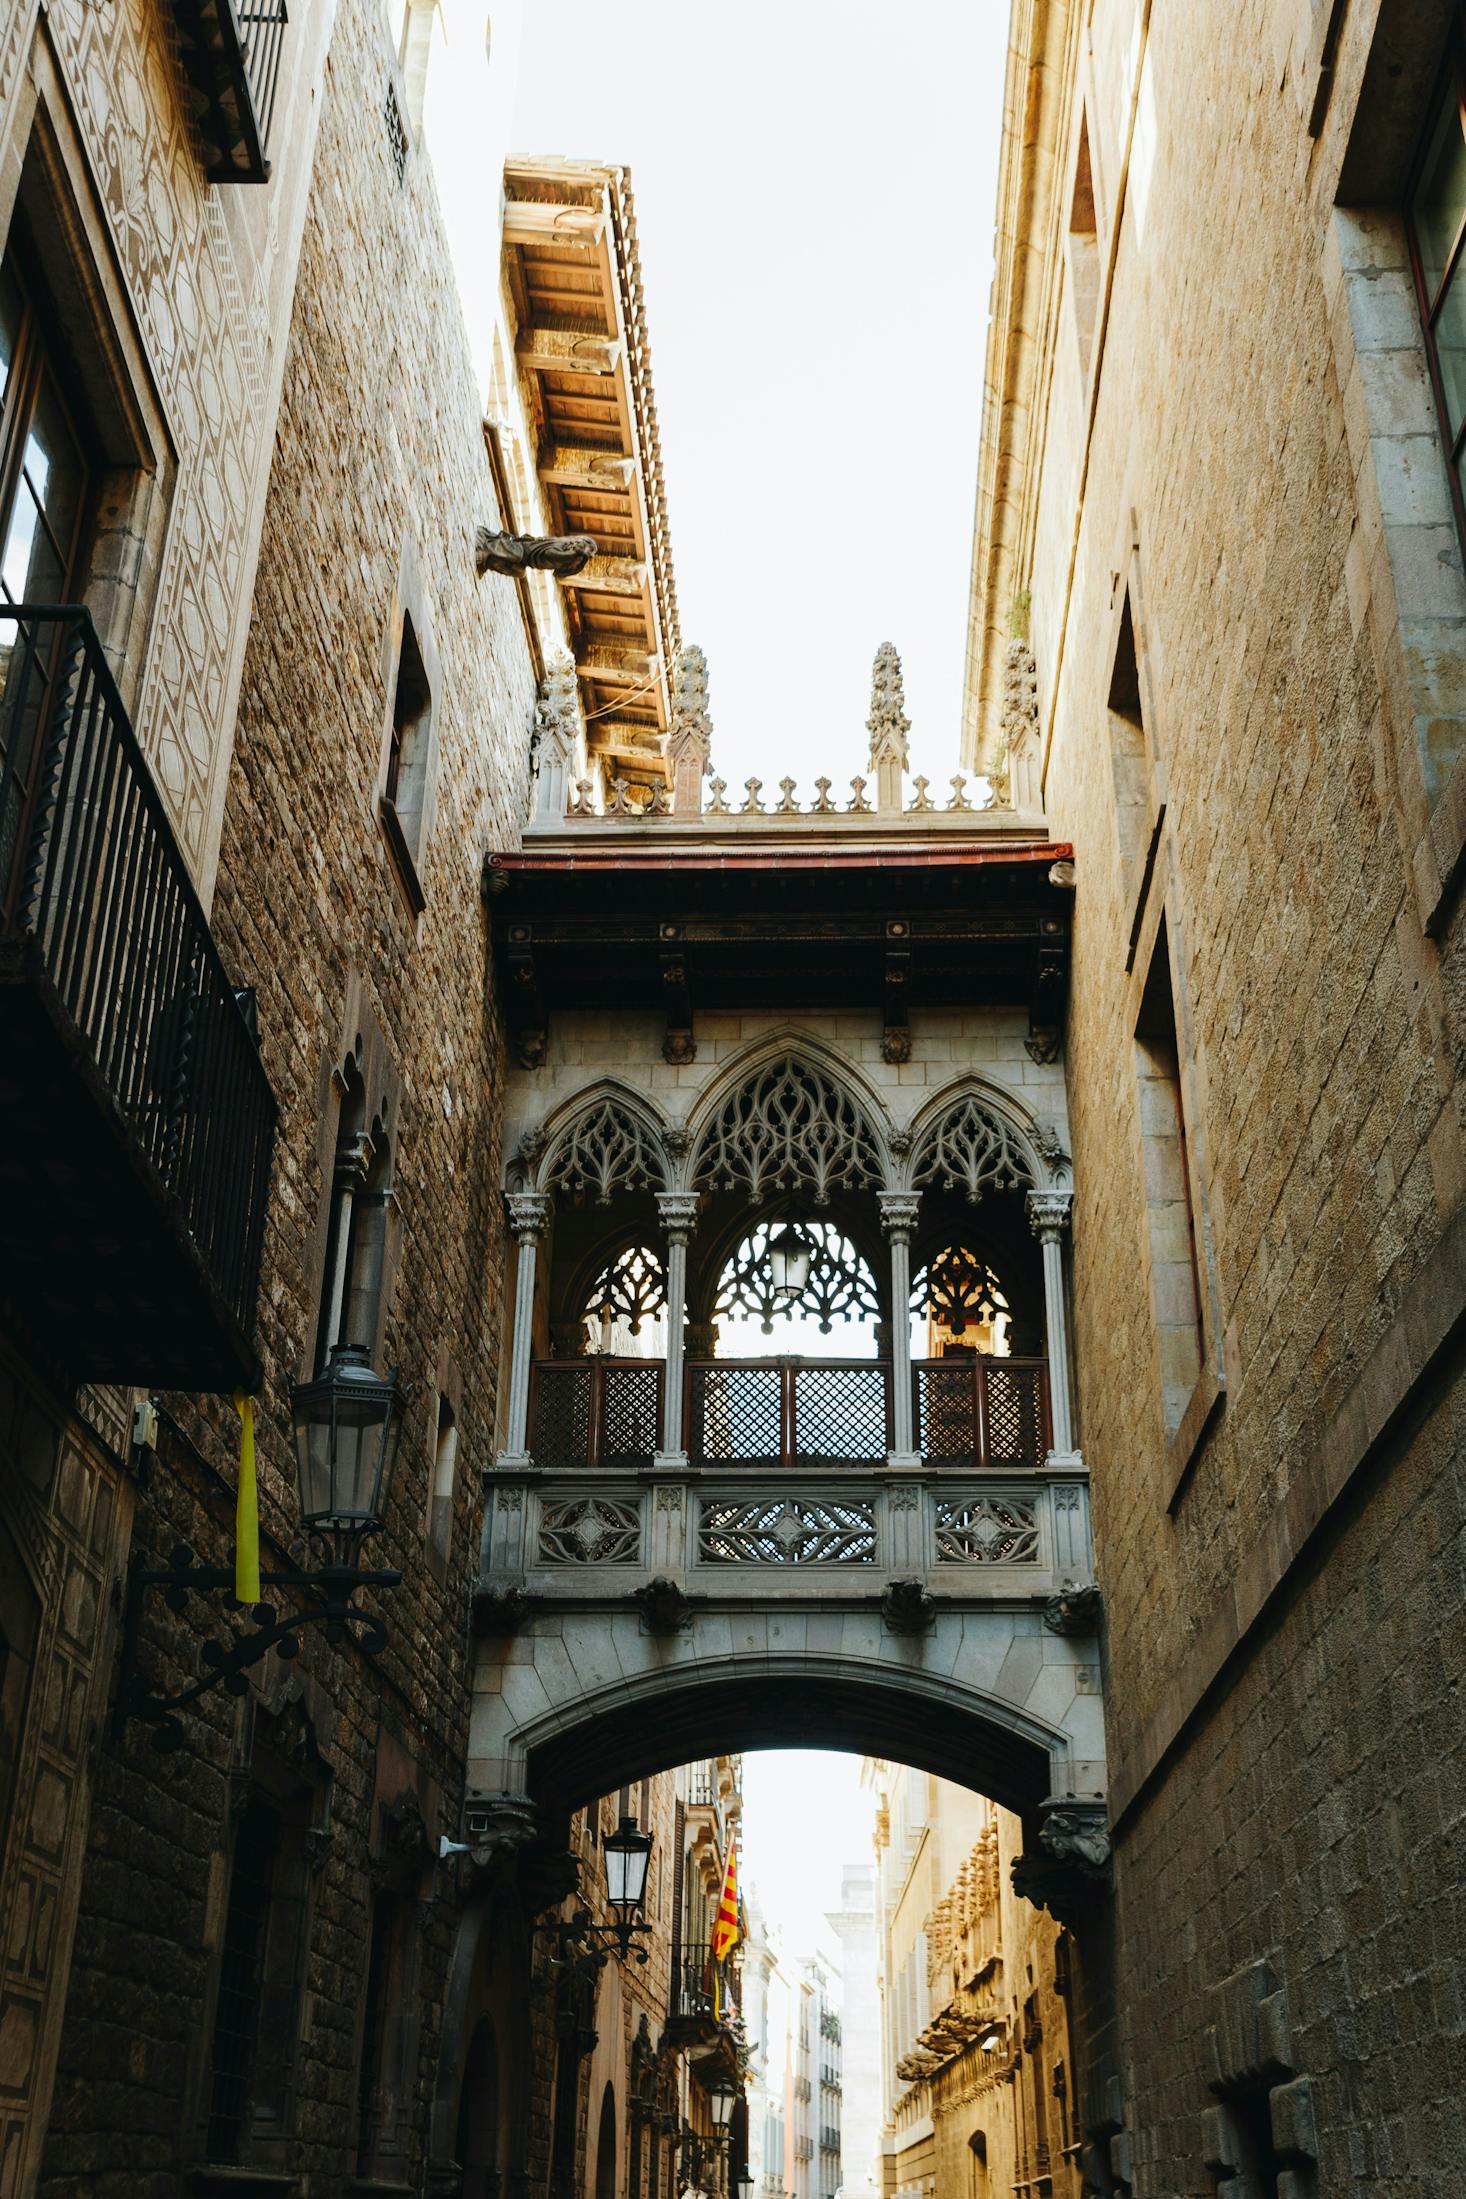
623,925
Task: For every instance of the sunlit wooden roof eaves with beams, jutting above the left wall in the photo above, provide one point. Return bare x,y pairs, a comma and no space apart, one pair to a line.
575,278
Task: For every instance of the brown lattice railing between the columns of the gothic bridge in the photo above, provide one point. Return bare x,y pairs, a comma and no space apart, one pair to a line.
790,1413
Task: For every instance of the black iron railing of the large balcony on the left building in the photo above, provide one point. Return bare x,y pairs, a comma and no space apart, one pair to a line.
96,887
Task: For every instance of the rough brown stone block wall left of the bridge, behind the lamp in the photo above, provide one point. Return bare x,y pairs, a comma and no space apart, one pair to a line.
379,474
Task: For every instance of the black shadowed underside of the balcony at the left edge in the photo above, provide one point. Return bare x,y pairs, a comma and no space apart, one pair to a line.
98,1268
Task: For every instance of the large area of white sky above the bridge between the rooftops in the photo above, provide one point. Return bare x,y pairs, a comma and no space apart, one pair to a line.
814,188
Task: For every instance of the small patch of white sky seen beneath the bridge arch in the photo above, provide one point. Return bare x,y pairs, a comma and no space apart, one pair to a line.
806,1817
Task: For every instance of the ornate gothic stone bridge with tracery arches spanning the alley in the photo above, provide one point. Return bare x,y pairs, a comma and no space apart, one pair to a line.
742,1039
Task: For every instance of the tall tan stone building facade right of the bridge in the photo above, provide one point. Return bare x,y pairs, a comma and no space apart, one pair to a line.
1219,604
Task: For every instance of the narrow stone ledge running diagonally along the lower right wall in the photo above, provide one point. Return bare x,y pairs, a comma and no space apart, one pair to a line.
1401,1362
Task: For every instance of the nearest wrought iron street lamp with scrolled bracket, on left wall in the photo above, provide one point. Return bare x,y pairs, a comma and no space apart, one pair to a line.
348,1426
